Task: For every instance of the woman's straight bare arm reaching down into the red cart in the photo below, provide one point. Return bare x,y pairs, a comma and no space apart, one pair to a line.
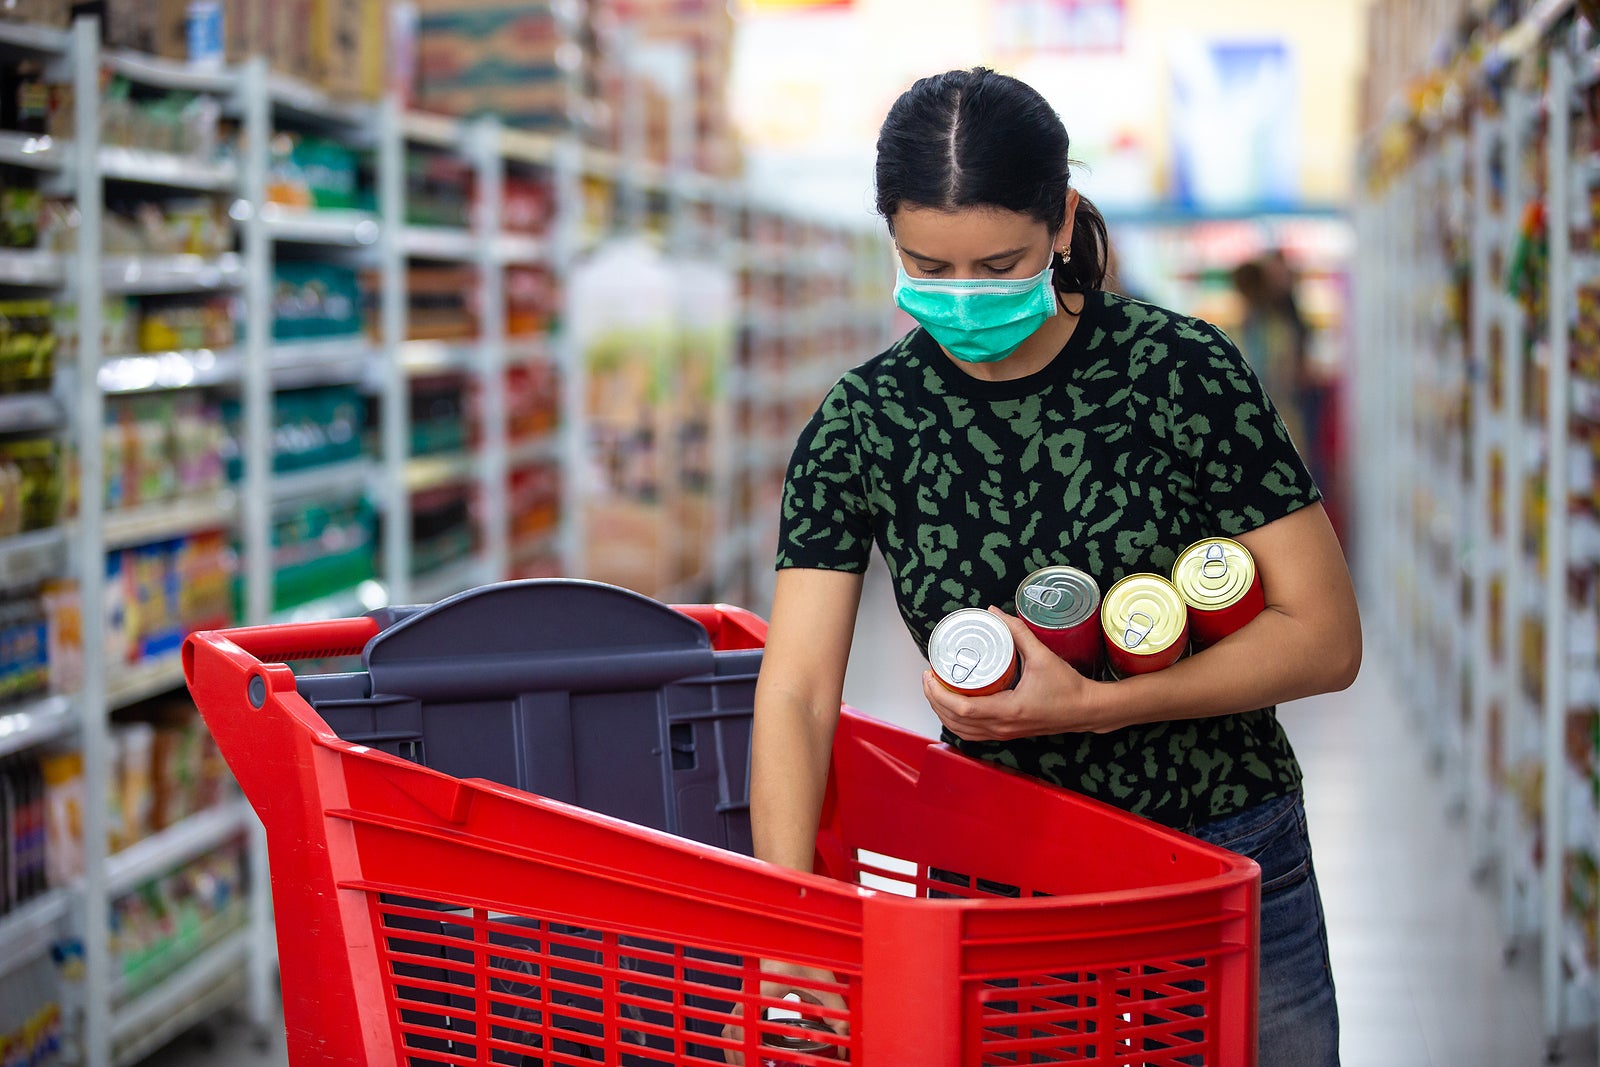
798,709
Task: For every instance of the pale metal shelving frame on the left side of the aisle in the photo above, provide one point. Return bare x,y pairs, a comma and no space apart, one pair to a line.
703,217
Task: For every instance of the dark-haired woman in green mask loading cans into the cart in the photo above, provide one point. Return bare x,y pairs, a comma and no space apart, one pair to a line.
1038,420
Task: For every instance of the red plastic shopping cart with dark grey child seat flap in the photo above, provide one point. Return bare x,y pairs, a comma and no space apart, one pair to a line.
591,905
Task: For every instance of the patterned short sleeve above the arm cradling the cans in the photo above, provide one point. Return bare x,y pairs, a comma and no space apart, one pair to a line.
1247,470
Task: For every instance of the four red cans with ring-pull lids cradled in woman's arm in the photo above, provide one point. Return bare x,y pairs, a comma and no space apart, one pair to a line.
1143,623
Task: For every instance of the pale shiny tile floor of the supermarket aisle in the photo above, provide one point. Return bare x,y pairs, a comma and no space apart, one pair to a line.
1417,957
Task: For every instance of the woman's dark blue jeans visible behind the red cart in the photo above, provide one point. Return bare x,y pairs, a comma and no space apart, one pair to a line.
1300,1020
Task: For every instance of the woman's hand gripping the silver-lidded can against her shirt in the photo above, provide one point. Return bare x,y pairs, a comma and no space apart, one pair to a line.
1050,698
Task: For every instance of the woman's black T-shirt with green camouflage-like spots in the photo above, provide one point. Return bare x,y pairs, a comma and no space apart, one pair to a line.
1145,434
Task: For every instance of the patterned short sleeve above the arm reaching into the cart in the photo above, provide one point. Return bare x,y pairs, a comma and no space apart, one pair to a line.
825,522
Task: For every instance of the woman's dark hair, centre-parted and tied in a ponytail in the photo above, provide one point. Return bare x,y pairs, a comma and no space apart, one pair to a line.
977,138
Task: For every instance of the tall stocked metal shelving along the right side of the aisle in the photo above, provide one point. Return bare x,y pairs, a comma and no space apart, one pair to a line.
1498,503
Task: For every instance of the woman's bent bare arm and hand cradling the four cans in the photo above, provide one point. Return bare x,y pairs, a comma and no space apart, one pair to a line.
1306,641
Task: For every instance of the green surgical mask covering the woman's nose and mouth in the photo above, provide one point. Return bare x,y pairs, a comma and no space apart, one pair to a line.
978,321
